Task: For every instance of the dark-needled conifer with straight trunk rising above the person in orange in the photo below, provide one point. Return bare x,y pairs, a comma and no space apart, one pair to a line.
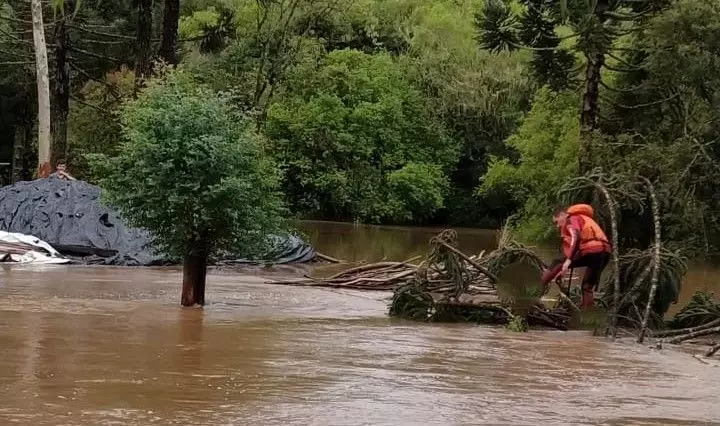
593,26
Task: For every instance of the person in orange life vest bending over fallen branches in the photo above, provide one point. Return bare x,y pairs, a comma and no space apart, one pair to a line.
584,245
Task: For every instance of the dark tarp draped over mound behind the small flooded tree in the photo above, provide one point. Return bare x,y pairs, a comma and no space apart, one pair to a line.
70,217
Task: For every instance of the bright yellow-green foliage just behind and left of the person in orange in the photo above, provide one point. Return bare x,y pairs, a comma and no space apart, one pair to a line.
547,143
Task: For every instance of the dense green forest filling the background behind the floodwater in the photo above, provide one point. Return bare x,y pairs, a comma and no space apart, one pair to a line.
460,112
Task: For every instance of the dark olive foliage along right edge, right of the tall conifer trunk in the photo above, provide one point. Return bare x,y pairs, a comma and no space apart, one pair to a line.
664,120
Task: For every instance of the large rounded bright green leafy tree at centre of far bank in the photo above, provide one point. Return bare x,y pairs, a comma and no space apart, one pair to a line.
347,124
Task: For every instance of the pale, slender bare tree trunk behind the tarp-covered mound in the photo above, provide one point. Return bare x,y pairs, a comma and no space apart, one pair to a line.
43,85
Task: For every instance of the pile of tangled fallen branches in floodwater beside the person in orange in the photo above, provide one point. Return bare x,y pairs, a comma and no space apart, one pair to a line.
449,285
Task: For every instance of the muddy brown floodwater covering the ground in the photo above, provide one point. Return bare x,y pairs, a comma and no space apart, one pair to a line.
109,346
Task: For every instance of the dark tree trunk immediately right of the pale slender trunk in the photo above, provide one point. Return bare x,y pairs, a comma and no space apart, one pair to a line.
61,88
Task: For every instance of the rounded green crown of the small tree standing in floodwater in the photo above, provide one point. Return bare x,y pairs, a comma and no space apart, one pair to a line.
190,171
